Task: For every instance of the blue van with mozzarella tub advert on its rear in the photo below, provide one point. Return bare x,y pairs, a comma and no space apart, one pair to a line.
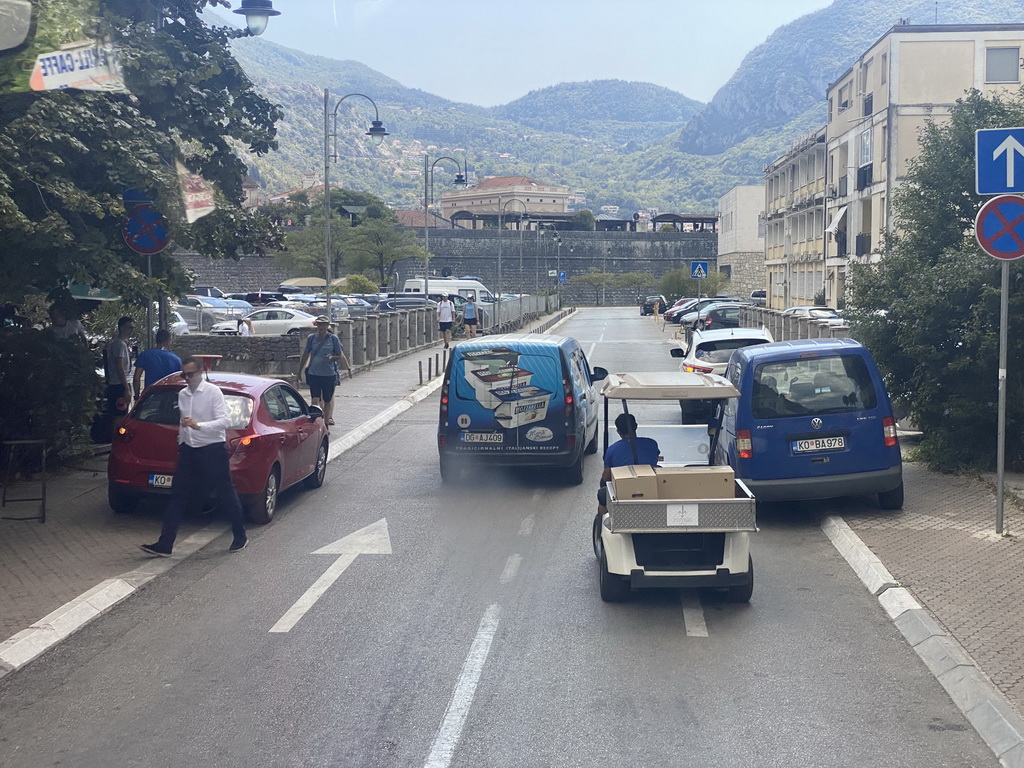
519,400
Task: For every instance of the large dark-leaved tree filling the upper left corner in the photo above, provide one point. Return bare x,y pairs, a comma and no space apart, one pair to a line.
68,155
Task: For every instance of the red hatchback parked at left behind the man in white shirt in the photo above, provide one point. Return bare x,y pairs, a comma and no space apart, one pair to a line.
275,440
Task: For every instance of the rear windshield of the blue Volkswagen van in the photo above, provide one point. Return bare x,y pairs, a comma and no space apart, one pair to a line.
820,386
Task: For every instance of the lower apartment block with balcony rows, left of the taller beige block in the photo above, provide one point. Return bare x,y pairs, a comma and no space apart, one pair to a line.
794,224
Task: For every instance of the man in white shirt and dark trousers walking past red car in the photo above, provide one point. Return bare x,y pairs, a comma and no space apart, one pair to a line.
203,462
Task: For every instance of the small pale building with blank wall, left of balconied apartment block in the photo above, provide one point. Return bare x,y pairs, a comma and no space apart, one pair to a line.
742,238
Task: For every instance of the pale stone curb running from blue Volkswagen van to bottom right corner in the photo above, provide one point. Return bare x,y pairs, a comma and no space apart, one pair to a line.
983,704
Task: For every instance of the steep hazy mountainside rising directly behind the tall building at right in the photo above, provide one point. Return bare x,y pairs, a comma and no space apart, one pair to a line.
789,73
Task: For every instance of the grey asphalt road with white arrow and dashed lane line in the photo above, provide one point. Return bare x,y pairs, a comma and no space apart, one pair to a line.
471,633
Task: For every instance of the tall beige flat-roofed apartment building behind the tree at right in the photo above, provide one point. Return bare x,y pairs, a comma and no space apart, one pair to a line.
911,76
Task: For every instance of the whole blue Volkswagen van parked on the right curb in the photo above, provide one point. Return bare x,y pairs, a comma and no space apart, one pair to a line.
813,421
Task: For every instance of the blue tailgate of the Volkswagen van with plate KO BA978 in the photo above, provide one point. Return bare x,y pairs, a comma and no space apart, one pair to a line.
815,416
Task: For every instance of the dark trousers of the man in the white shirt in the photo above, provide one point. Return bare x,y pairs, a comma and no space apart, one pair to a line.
200,472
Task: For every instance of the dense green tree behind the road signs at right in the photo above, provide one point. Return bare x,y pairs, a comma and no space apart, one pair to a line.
929,312
